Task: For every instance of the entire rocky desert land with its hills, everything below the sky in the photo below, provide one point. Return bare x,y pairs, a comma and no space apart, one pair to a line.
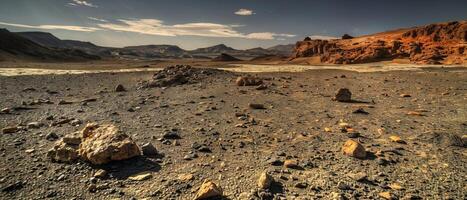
376,116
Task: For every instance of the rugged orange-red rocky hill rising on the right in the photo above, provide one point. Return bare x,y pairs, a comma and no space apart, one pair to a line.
441,43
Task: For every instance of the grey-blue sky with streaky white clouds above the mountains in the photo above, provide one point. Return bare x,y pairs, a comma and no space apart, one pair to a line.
241,24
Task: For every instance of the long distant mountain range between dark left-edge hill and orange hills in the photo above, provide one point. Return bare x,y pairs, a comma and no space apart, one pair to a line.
49,41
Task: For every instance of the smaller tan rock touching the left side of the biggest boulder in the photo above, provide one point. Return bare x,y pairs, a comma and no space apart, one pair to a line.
63,152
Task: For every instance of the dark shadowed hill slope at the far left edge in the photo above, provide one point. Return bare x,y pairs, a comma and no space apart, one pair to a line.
16,47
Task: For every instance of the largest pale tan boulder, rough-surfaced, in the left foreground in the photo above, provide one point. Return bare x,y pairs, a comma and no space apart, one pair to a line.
104,143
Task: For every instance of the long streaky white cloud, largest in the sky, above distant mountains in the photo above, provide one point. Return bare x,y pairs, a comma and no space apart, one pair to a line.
157,27
